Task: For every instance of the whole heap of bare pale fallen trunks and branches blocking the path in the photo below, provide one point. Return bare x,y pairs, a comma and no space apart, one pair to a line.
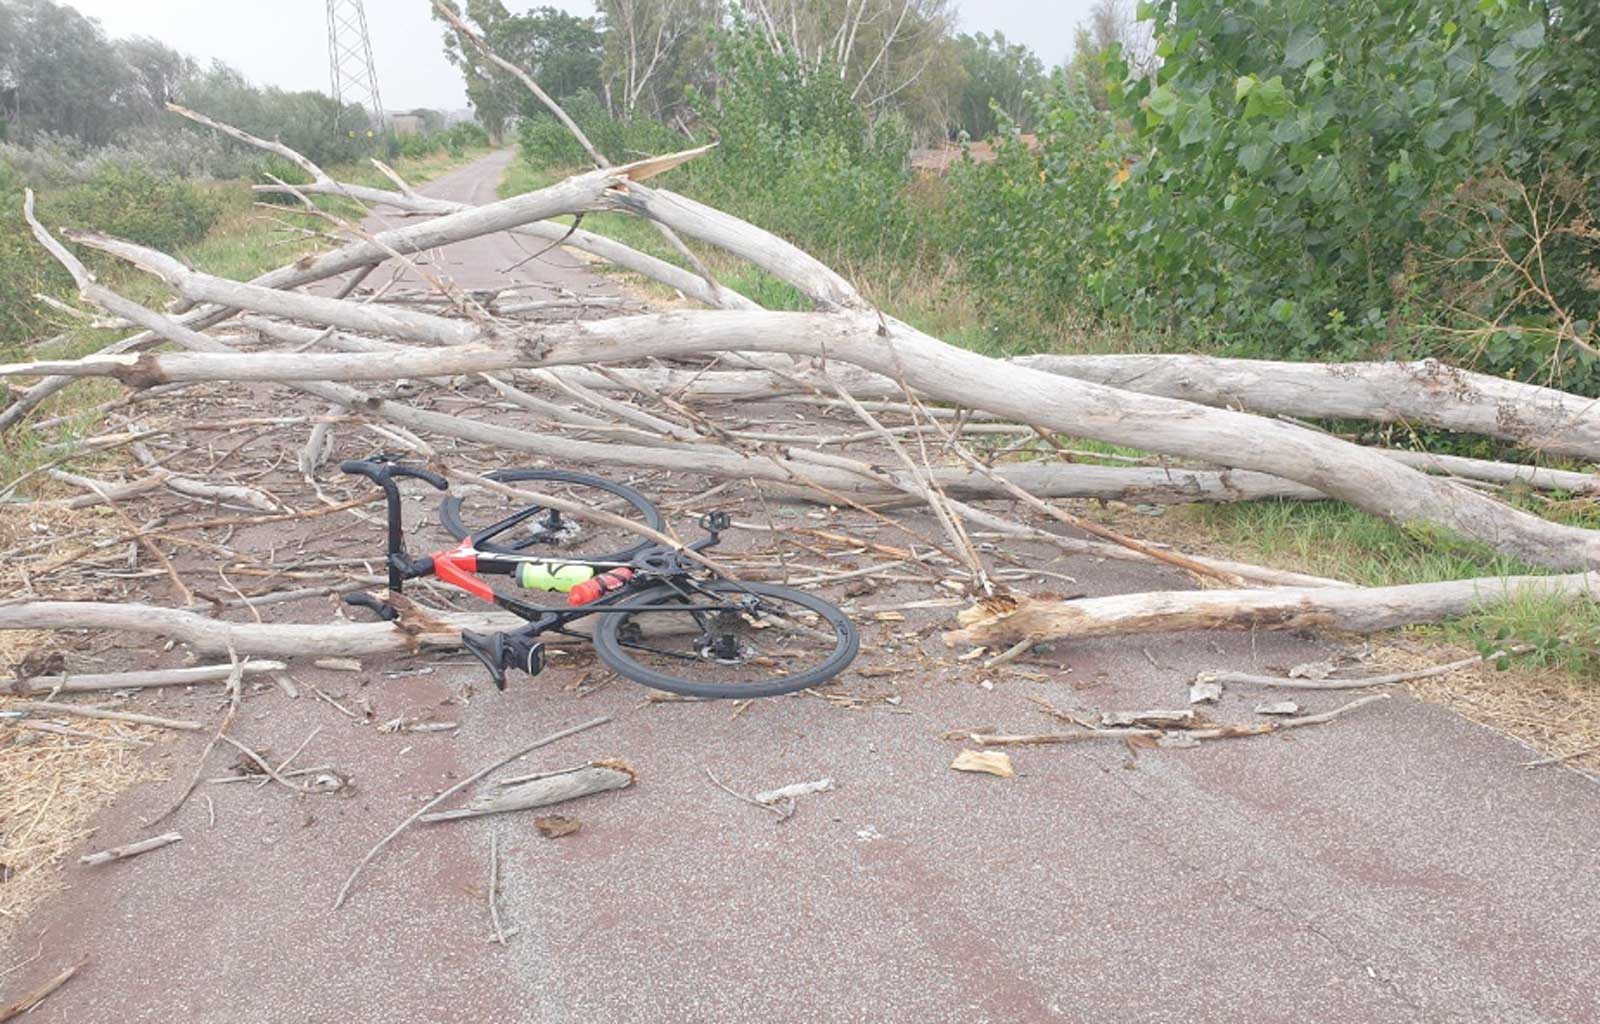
630,391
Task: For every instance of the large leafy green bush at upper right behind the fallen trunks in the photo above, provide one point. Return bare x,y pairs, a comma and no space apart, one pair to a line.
1310,180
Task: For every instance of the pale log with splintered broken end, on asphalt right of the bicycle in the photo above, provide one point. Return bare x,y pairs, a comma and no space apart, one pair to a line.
1006,622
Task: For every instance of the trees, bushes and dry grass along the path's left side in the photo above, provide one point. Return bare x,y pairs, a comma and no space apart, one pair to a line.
137,172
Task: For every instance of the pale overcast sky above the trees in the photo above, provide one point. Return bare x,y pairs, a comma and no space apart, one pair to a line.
286,42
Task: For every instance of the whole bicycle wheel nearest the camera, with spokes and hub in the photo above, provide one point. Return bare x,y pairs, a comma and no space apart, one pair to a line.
726,639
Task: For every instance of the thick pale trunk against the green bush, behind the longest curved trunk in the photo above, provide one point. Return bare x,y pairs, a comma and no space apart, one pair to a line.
1425,393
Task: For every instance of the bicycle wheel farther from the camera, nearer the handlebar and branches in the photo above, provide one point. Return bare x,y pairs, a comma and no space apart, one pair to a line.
553,532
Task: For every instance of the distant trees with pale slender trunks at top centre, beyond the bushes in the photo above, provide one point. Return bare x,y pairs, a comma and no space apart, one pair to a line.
660,60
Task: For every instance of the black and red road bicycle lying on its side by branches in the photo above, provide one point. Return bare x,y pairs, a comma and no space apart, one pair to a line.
663,618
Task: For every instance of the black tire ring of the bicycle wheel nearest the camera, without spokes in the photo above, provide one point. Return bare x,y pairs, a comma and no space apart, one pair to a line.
615,654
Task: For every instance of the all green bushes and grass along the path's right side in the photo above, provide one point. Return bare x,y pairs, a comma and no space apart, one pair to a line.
1310,183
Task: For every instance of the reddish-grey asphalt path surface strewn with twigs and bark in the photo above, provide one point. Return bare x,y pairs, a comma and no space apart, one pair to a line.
1394,866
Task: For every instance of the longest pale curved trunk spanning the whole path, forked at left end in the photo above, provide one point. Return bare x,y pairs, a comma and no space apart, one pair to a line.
1329,465
